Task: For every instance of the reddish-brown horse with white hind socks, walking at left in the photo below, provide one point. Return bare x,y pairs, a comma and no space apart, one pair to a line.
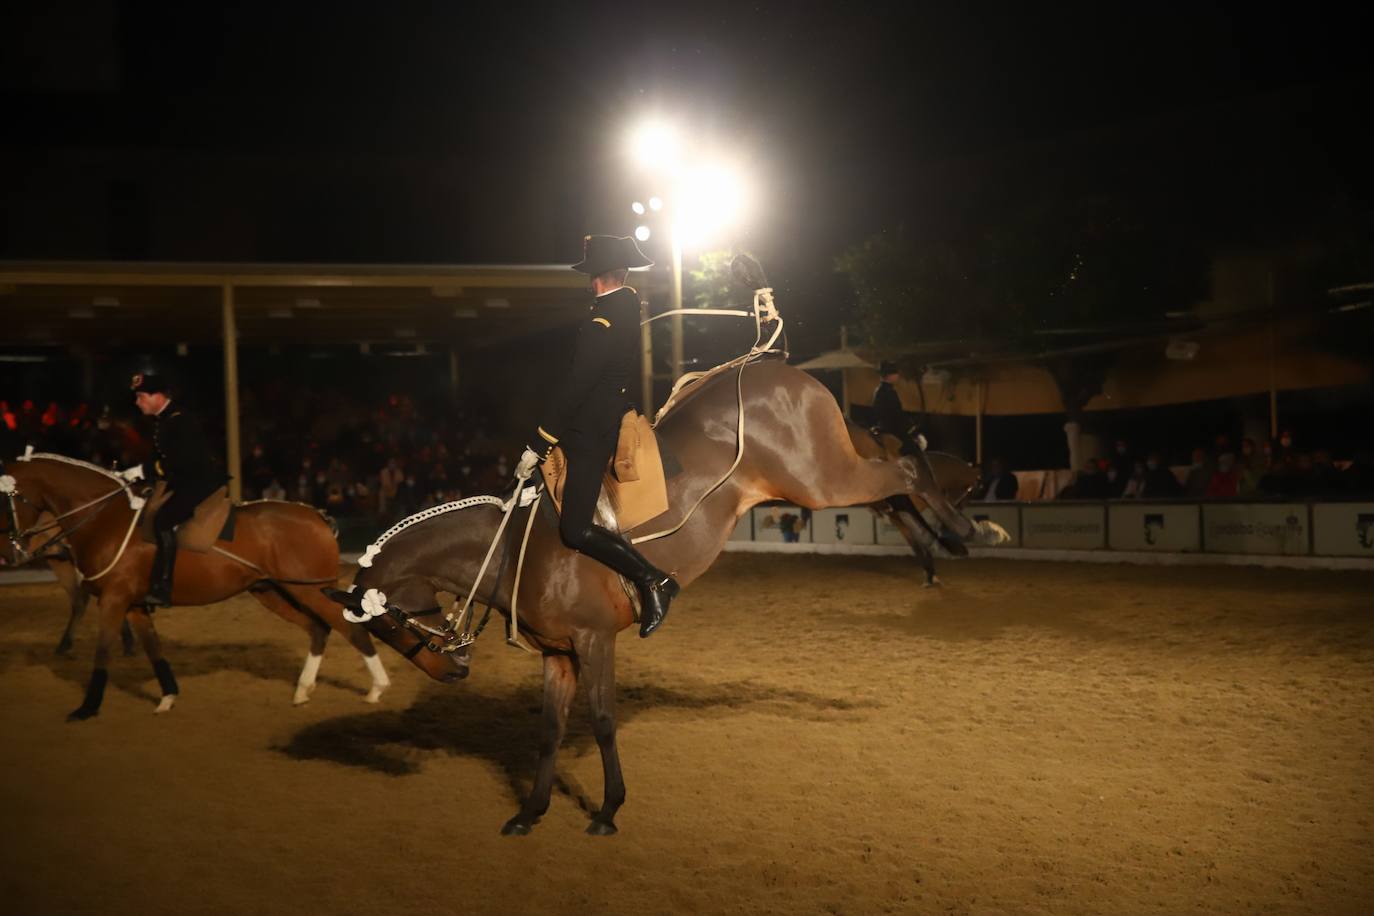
281,554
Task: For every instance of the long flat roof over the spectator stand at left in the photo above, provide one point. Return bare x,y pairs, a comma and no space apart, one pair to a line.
462,307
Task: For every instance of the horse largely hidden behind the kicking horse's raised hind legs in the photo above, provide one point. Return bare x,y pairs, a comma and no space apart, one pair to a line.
956,477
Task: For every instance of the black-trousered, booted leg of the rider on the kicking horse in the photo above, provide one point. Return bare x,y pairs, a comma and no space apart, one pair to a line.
585,480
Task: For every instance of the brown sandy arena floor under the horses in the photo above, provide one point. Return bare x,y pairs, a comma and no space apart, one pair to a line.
807,735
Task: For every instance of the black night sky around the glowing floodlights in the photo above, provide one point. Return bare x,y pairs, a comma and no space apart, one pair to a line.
443,133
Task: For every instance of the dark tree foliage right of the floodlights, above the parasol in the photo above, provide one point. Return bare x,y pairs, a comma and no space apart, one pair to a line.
1090,267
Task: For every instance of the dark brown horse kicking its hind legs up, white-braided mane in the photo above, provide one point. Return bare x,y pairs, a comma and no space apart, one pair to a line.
571,608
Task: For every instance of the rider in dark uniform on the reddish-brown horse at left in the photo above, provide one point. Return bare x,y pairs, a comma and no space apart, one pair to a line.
183,459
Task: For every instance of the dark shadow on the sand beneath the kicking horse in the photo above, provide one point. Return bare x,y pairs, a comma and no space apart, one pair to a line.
504,730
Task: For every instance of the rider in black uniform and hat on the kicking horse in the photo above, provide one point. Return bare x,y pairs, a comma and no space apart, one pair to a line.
585,420
